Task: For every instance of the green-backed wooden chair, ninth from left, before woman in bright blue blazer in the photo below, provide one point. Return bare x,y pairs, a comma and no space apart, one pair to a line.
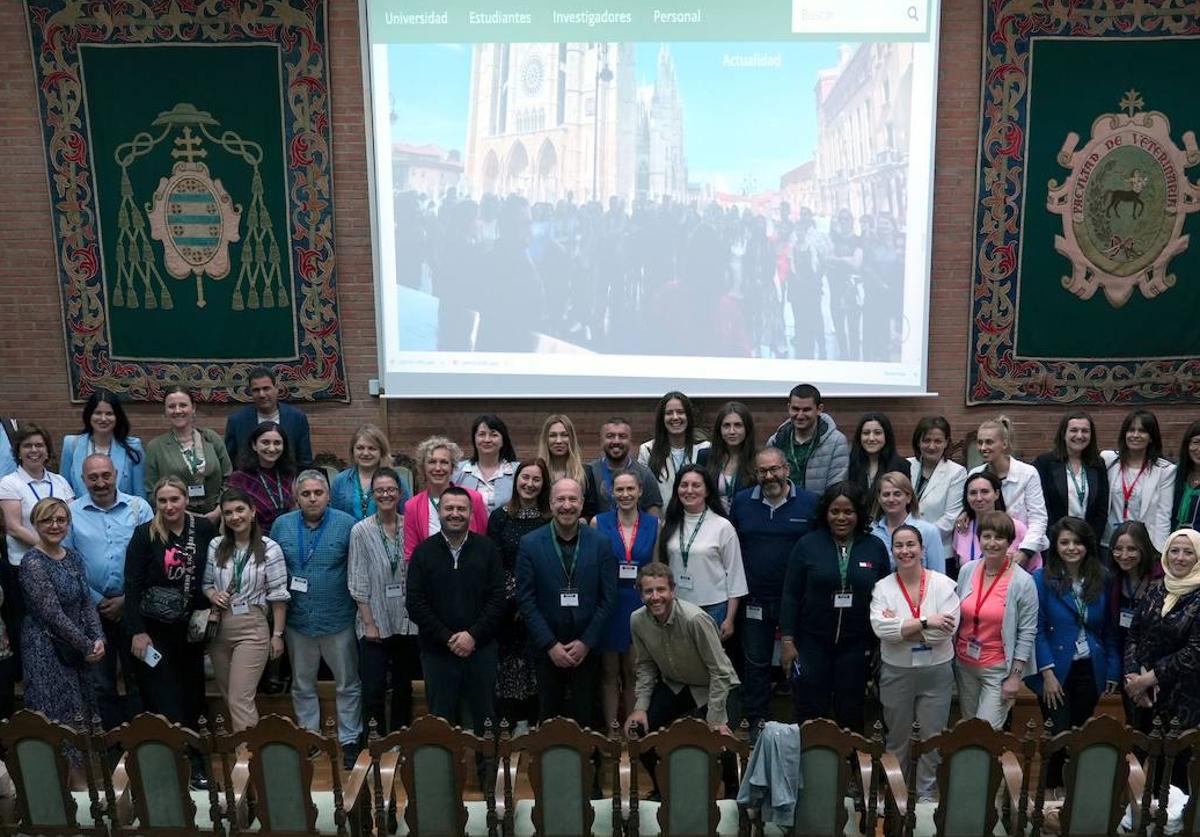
1102,776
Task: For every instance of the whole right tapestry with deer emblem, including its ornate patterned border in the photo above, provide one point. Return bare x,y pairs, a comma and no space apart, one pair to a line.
1087,279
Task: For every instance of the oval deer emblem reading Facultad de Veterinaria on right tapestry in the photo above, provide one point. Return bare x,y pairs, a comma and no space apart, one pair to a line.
1125,203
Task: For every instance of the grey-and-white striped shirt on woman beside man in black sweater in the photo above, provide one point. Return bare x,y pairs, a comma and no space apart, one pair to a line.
371,574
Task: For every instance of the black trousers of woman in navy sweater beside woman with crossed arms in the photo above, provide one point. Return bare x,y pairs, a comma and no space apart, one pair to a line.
832,683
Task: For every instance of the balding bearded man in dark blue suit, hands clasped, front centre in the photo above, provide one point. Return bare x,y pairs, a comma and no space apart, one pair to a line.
567,588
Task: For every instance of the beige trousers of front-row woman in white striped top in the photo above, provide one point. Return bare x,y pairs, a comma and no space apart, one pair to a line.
239,657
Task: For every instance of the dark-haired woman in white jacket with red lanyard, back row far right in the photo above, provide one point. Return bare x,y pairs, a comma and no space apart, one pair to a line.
1142,483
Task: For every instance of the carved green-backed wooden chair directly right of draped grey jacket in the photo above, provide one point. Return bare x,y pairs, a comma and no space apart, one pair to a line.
829,758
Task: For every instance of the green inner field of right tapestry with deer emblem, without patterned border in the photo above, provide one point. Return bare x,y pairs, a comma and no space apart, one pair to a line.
1126,225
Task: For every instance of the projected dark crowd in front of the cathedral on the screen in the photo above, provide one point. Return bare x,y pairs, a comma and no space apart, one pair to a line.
586,274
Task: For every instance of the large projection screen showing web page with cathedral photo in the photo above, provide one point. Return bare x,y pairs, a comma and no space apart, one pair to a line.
620,200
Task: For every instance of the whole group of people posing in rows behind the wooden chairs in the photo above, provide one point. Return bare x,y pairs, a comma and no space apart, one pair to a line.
694,574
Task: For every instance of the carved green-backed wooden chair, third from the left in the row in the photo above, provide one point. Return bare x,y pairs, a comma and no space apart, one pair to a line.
268,776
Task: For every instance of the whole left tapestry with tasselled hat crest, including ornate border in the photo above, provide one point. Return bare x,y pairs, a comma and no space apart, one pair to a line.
189,160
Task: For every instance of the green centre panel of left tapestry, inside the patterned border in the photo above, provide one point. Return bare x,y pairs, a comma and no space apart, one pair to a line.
165,116
